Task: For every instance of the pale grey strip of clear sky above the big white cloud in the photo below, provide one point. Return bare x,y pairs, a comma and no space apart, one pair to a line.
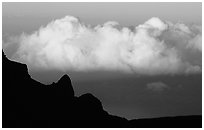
30,16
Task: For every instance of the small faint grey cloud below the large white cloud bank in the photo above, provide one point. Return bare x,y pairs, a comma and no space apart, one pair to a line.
157,86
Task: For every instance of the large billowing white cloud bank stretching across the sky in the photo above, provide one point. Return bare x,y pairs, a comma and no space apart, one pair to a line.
67,44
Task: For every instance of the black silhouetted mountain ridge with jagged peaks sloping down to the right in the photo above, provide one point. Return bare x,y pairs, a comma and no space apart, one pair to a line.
27,103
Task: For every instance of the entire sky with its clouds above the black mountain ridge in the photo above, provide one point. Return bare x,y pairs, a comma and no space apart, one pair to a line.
141,60
